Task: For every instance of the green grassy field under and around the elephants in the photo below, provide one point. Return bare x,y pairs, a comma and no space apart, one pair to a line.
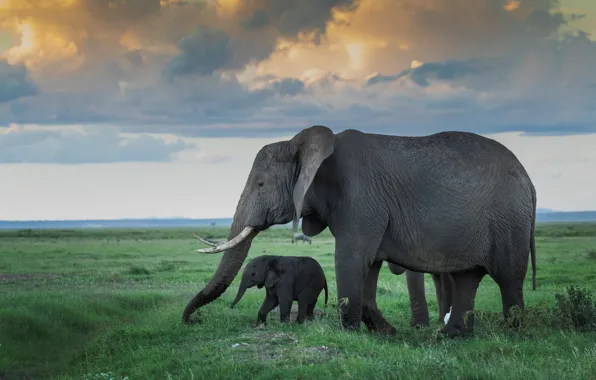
106,304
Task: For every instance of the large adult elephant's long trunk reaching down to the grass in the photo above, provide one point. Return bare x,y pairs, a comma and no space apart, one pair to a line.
228,266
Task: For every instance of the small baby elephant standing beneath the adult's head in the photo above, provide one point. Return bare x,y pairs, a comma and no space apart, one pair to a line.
286,279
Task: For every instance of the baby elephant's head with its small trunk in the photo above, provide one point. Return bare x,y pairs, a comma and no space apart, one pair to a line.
260,271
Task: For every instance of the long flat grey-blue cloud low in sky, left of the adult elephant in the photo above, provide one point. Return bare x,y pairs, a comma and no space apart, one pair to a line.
72,146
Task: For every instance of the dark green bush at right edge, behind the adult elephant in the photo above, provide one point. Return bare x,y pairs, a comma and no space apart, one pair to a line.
577,309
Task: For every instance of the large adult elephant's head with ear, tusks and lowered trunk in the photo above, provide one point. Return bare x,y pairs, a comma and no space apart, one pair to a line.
273,194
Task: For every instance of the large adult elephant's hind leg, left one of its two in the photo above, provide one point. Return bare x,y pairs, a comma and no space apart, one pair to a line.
461,321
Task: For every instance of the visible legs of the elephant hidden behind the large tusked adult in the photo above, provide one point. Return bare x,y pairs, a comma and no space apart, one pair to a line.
444,287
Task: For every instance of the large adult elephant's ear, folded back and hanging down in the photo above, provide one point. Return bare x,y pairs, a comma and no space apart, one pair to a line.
313,146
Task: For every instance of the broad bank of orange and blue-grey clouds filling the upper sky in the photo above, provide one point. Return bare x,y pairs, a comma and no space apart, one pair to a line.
194,68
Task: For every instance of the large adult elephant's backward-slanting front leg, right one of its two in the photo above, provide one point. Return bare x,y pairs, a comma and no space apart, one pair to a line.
371,315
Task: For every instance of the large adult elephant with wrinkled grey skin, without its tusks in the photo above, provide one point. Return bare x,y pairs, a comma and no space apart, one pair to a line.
451,202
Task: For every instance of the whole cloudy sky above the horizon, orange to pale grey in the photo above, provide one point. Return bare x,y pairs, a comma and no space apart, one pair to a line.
156,108
